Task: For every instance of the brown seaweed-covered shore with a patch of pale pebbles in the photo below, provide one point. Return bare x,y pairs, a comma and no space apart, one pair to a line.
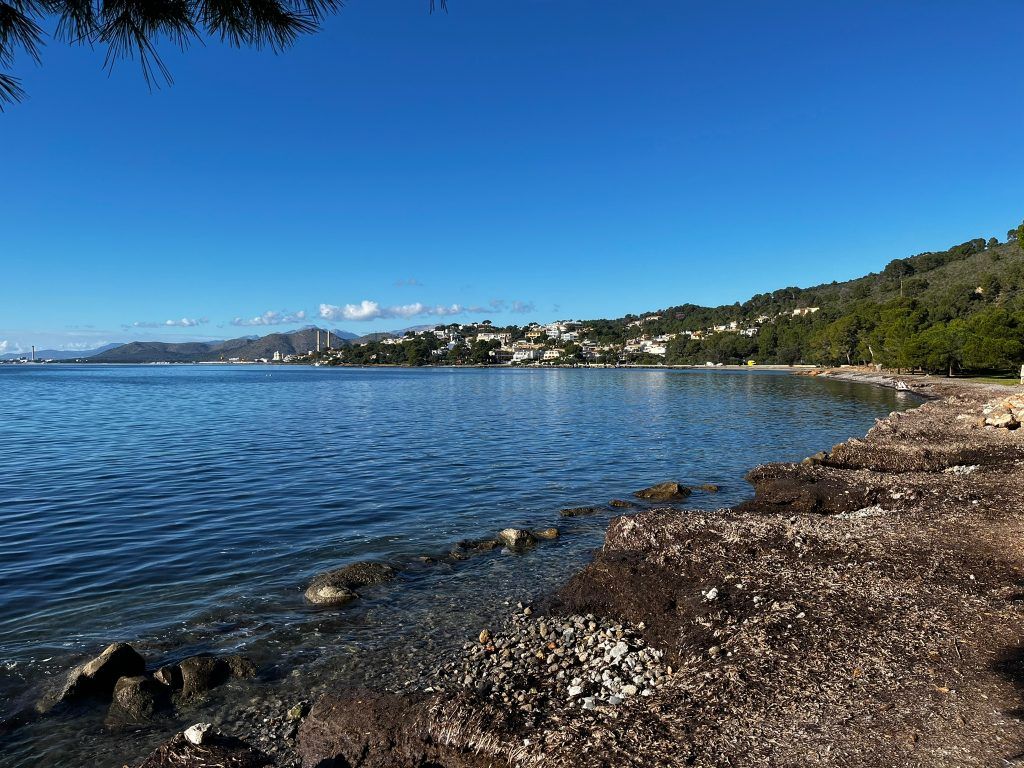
864,609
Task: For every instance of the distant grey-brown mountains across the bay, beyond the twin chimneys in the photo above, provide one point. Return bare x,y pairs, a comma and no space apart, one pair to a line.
246,349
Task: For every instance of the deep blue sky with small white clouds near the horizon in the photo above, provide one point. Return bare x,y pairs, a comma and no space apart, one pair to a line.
513,160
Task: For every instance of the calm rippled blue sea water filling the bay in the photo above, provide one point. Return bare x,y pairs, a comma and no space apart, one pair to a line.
185,508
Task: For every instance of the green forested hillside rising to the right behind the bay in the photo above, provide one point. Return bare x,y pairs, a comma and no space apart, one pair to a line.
948,312
